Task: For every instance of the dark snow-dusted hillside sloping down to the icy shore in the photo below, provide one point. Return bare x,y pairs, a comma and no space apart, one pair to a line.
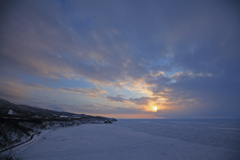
19,122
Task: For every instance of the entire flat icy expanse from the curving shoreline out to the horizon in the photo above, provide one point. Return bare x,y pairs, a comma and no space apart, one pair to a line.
139,140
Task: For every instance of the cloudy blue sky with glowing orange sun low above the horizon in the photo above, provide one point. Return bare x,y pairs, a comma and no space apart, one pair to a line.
122,58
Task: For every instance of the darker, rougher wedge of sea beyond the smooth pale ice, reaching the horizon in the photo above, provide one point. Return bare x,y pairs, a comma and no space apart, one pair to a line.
212,132
